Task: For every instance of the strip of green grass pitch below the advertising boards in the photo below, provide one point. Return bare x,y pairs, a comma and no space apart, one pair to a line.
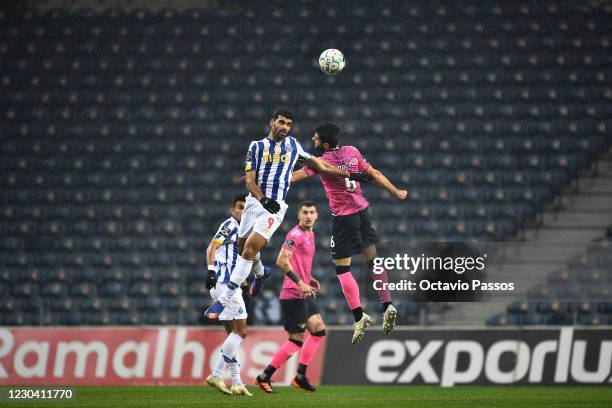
338,396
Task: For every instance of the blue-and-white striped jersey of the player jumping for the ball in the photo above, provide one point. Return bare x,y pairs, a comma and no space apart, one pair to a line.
273,163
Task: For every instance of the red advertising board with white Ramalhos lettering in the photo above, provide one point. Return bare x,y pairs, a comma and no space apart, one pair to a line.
132,355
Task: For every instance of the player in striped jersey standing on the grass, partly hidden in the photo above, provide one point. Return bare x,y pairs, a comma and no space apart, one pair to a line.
221,256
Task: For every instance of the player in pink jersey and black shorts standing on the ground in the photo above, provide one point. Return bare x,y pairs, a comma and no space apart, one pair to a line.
299,310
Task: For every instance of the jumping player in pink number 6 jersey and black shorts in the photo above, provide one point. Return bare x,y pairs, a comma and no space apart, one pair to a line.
352,231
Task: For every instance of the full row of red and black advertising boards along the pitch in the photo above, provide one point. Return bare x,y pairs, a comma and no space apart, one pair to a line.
435,356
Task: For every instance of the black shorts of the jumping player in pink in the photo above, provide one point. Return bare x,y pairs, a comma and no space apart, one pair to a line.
351,233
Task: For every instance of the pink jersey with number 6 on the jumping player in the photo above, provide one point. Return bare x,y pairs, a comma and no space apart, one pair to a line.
344,195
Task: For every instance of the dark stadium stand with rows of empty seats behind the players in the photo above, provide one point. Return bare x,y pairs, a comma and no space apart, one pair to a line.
123,137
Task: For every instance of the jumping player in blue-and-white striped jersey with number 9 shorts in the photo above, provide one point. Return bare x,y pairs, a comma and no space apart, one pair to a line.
269,167
